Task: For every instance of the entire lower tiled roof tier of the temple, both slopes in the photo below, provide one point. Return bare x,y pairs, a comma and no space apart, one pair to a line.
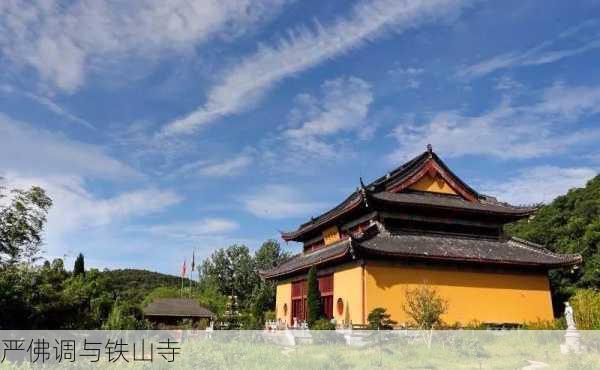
428,247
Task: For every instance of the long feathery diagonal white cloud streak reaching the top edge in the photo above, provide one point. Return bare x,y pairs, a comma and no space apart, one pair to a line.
249,80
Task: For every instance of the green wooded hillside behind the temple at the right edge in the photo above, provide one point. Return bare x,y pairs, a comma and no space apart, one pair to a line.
570,224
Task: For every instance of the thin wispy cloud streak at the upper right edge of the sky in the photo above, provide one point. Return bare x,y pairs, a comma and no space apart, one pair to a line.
543,53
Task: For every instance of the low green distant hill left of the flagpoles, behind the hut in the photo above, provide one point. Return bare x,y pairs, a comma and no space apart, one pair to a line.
133,285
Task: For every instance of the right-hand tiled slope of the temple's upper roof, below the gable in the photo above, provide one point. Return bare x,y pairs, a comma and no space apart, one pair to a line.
447,201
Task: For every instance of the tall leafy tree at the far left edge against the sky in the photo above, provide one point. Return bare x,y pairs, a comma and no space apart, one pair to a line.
22,221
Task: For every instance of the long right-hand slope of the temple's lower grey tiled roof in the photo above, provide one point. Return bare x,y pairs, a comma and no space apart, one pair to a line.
452,248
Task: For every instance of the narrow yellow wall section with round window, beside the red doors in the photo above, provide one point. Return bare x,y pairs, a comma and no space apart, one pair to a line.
348,285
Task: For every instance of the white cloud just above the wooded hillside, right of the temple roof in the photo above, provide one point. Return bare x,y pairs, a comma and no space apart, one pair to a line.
539,184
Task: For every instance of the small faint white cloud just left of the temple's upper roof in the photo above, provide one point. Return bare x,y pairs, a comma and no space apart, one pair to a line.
279,201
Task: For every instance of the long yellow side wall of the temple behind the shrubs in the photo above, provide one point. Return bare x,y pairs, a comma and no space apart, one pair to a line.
486,297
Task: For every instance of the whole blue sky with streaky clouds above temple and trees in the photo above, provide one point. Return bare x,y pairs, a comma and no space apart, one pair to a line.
163,126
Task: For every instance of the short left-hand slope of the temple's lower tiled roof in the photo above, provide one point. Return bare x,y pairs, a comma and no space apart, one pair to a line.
305,260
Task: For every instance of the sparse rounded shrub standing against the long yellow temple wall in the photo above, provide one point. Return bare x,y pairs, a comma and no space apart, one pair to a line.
425,307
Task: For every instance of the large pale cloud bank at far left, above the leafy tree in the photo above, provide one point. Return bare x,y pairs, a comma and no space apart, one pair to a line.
31,156
